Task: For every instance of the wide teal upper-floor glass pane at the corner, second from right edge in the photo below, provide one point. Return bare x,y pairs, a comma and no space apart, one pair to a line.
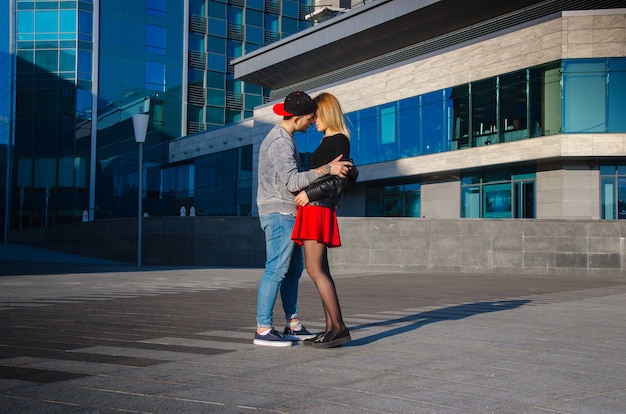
584,96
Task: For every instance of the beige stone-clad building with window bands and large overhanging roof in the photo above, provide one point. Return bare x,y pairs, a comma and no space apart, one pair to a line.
488,110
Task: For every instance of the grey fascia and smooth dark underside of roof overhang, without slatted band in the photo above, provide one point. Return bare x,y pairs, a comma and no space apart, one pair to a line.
365,32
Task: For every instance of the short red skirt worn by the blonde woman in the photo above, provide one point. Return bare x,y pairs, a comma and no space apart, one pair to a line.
316,223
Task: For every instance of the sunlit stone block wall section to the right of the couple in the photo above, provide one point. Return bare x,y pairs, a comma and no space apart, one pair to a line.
550,247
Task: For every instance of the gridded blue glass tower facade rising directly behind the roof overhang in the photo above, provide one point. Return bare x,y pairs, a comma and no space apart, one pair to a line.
221,31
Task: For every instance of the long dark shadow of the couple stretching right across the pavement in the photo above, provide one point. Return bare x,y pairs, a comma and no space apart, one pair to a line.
423,318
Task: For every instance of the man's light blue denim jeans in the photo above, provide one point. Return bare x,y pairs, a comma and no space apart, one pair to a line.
283,267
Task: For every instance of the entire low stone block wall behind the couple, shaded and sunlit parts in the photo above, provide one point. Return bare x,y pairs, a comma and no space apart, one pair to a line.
545,247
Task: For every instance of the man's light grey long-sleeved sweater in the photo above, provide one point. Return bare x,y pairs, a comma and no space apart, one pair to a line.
279,175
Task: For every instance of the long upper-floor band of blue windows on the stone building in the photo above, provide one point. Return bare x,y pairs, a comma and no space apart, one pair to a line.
508,107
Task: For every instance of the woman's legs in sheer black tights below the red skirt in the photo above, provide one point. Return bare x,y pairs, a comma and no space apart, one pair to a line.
316,259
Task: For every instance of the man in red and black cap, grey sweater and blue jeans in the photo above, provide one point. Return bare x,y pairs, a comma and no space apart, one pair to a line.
279,179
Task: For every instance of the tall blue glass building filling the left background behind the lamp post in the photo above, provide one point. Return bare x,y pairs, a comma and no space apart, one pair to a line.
73,72
